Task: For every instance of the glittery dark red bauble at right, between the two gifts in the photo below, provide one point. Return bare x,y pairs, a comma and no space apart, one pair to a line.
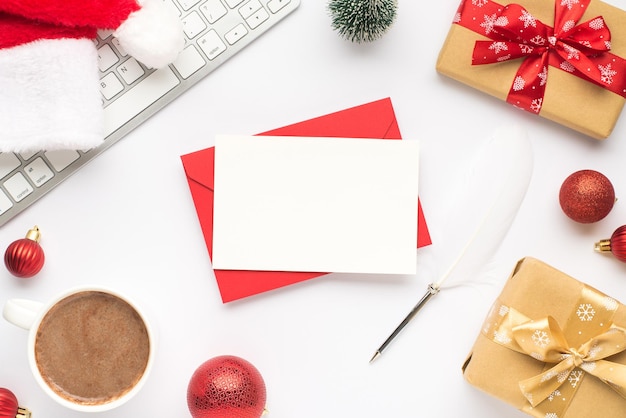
587,196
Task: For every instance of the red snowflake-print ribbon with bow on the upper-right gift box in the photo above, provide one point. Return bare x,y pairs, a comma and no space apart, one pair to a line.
580,49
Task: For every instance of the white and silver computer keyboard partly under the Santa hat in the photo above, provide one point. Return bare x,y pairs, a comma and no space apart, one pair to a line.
215,30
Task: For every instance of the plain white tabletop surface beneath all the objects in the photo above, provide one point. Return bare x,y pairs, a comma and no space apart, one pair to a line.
127,221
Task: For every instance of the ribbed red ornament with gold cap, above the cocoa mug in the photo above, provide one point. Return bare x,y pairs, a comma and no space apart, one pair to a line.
24,258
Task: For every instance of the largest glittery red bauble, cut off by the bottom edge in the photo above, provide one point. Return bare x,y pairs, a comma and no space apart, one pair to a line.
226,387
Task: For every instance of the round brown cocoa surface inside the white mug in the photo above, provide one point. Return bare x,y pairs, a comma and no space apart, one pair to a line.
92,348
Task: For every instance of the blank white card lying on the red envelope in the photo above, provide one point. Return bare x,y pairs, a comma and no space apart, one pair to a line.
345,205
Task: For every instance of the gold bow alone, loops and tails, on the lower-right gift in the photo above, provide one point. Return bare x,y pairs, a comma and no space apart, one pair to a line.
545,341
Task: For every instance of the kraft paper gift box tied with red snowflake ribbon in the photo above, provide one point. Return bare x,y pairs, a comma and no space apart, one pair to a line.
571,100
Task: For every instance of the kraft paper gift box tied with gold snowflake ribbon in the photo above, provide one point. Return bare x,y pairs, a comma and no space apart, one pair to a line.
521,356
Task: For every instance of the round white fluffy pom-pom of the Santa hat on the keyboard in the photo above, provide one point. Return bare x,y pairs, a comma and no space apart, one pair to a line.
153,34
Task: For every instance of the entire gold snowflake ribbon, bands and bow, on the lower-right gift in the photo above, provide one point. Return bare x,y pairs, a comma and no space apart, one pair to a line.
588,338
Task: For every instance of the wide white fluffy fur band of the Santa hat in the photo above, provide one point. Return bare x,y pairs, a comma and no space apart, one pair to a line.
50,97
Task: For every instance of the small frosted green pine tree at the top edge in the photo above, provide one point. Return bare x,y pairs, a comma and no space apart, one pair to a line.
362,20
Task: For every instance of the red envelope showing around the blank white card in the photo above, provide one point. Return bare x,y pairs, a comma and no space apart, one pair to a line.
372,120
